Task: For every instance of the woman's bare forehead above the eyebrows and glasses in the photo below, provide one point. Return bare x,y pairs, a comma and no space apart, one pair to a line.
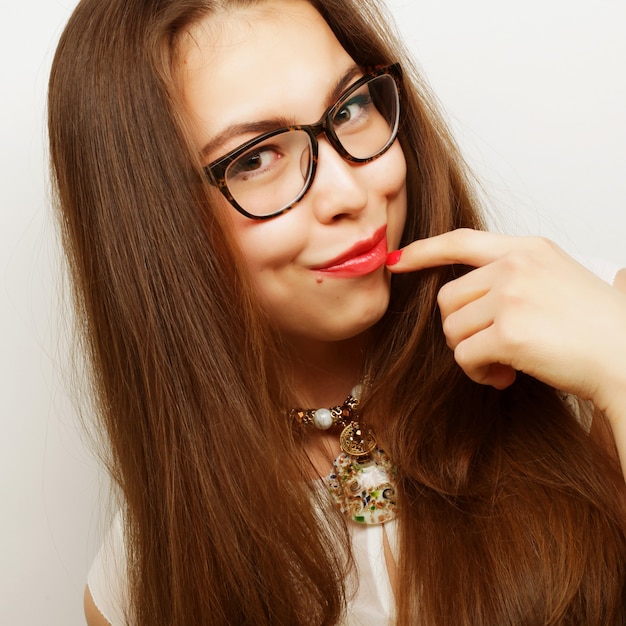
274,59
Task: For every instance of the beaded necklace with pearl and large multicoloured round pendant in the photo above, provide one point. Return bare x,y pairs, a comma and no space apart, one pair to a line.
362,479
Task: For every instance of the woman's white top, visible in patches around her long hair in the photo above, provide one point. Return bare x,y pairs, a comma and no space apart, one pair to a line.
370,596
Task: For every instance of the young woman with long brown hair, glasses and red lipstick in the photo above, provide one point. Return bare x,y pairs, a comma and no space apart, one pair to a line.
298,436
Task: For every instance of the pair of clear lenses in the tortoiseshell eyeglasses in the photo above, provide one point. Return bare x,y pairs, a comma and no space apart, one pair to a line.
274,173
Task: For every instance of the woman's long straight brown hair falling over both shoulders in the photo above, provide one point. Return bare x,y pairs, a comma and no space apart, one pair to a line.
509,511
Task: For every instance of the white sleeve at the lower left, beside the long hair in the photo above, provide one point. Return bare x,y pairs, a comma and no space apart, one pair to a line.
107,578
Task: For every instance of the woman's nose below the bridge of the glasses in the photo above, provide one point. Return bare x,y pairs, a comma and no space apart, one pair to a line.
338,190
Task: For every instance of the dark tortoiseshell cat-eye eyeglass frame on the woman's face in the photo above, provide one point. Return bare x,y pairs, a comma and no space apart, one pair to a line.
216,171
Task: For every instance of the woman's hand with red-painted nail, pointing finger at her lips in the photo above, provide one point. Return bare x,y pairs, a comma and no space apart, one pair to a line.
528,307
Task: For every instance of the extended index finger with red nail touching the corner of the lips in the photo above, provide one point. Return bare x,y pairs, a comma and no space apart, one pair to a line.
463,246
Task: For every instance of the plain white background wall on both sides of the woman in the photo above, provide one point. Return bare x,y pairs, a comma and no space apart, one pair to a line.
536,94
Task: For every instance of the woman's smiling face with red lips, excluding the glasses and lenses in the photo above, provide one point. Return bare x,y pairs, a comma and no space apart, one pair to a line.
271,65
